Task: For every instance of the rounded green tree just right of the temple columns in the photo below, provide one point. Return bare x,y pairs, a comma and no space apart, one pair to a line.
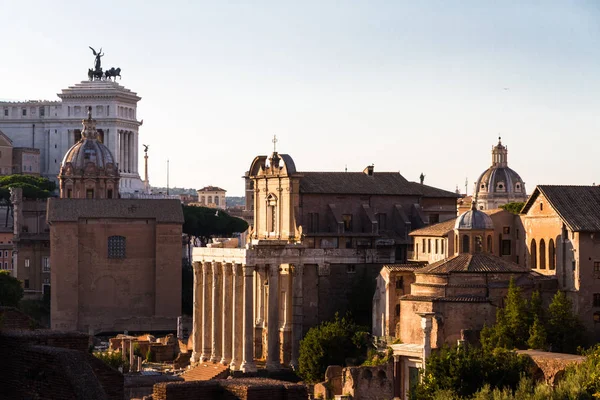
330,343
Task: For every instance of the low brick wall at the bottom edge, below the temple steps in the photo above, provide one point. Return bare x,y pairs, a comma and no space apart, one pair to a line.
230,389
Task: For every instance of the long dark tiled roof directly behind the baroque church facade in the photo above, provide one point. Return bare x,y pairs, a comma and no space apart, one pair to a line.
380,183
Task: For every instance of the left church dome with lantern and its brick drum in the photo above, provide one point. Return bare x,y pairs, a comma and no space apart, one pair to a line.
88,169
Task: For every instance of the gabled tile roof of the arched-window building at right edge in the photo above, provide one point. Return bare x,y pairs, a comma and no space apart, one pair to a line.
577,206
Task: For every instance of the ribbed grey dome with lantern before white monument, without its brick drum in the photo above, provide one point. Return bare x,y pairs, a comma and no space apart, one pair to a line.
89,150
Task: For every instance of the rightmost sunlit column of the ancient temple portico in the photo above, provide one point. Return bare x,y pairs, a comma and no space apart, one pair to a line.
285,315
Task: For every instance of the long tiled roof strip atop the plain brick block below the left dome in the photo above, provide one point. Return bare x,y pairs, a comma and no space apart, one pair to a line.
70,210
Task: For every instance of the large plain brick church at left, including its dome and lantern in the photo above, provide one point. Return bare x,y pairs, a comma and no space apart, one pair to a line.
116,262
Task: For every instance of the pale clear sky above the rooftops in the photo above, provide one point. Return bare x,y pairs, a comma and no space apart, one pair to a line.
415,87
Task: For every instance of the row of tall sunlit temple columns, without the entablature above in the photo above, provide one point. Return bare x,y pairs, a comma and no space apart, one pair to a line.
230,302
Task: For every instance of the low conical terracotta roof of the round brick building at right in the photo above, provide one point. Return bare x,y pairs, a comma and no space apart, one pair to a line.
477,262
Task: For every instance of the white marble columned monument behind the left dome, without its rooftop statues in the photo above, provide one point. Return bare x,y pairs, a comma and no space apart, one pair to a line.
52,127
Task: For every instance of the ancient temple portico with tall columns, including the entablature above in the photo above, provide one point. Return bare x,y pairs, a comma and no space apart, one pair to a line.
251,303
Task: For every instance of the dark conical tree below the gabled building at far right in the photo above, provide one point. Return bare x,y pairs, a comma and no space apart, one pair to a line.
565,330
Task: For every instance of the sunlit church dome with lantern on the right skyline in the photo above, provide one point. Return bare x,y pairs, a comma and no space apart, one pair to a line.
499,184
